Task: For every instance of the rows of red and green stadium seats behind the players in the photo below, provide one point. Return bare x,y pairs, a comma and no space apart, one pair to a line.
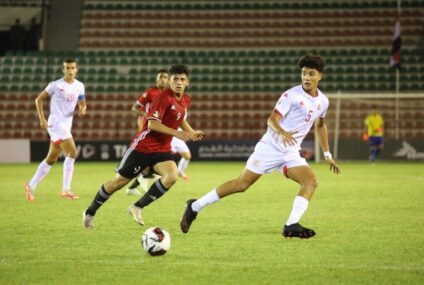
242,55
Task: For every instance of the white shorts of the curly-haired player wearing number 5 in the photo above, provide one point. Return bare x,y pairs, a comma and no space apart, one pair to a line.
267,158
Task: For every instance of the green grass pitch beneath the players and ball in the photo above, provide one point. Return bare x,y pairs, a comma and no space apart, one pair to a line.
369,224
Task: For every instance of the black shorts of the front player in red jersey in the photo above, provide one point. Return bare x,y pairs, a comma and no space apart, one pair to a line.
134,162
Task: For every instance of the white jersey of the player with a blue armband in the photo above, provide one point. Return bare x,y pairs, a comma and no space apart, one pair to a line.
64,97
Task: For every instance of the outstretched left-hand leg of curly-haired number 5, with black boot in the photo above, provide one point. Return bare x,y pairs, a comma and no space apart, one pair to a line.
240,184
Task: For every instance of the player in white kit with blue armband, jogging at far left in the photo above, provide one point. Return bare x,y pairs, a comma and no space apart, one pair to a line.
65,93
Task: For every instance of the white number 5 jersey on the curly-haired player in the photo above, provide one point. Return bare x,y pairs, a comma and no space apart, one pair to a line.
299,110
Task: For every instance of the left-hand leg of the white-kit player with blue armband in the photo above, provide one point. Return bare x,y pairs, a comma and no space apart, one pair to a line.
42,170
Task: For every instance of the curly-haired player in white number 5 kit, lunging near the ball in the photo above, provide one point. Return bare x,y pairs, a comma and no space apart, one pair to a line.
288,124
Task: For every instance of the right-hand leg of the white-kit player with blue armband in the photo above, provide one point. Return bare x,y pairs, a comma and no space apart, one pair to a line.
69,148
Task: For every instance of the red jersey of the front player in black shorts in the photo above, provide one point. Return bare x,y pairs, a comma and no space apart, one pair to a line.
168,110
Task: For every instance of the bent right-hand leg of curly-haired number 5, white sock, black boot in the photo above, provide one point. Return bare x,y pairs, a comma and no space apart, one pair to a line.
308,183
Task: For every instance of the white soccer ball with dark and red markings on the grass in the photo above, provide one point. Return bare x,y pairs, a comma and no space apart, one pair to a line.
156,241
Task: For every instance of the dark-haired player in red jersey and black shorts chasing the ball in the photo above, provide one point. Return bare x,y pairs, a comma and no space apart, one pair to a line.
151,147
